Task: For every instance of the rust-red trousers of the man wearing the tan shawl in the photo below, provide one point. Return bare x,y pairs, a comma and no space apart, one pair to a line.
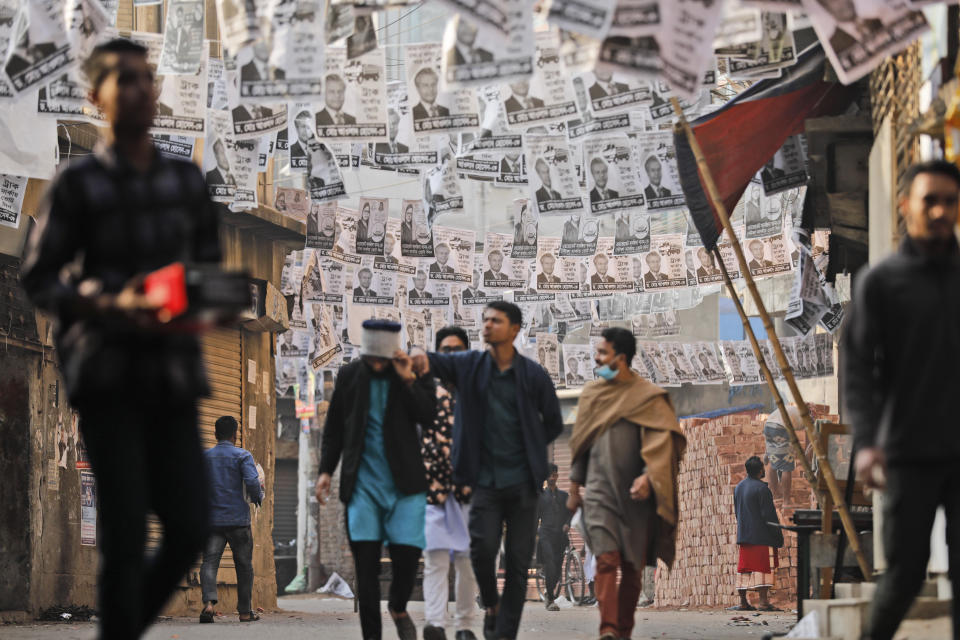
617,604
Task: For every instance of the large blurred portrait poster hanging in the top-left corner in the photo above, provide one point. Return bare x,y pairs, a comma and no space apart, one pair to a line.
41,50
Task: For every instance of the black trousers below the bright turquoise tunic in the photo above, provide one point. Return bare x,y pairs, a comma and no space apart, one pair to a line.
366,562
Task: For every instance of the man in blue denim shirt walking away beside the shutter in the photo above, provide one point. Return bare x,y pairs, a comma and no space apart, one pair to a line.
231,470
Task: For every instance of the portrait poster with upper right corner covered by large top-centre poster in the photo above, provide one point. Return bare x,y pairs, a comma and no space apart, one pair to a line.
434,110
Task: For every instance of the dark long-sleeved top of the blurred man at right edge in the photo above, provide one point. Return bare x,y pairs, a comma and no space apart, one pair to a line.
901,349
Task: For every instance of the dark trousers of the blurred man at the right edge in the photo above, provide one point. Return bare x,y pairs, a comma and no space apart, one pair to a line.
911,499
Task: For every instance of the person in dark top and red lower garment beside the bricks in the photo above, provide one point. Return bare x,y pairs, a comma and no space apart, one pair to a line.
757,539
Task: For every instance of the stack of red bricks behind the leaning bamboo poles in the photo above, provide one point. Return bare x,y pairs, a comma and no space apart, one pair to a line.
703,574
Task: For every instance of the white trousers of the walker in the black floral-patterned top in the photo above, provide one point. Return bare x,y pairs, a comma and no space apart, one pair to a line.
436,569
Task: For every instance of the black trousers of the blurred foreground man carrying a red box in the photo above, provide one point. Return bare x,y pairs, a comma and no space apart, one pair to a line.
146,456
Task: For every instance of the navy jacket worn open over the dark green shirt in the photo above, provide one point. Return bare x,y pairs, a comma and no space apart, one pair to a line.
537,403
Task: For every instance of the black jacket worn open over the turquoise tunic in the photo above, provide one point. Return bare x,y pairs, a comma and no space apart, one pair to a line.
346,426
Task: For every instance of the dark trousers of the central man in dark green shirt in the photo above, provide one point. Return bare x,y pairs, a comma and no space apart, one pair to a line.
515,506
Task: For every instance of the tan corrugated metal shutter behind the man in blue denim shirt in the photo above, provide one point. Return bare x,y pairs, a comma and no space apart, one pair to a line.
223,357
